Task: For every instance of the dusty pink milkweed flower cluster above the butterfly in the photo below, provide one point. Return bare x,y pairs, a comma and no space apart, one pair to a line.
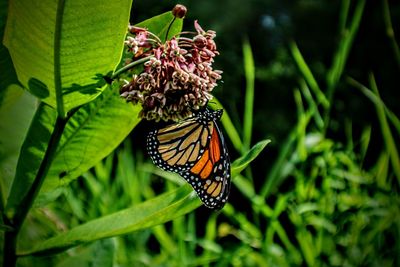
177,77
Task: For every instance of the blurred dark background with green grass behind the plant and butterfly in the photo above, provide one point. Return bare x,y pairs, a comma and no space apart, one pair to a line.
318,78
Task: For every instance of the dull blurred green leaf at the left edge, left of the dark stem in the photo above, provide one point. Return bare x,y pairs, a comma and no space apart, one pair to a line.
16,113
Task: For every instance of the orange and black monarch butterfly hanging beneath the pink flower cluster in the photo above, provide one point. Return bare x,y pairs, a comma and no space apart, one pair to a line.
195,149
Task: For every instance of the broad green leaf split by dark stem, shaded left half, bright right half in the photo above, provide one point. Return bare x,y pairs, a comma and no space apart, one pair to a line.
90,135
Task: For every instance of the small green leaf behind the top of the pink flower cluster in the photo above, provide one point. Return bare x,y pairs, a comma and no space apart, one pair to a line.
159,25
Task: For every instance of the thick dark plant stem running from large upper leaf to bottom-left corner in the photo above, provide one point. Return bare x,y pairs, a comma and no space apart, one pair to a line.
10,237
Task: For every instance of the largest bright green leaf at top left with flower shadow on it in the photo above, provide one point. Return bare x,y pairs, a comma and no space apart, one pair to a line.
65,47
